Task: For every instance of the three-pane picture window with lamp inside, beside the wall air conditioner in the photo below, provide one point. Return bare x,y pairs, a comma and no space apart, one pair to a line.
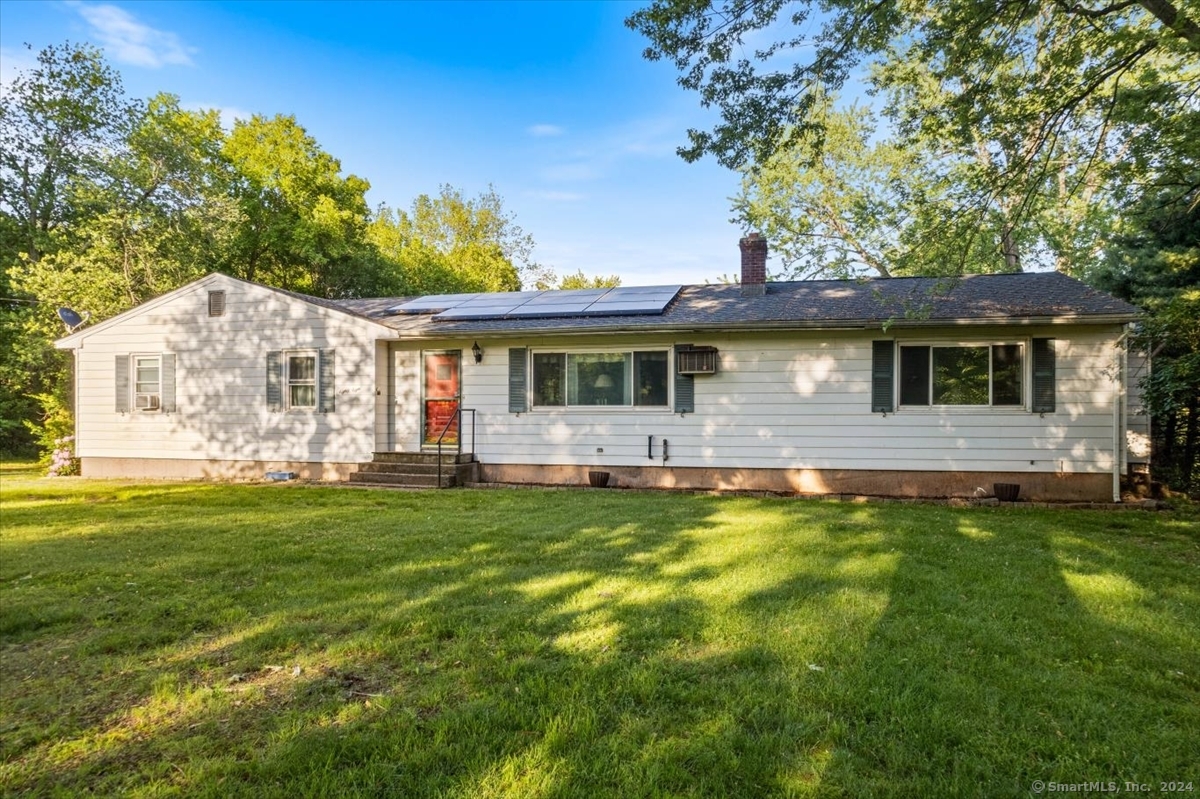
597,380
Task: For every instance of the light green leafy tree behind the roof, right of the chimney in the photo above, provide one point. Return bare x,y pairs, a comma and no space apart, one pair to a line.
853,201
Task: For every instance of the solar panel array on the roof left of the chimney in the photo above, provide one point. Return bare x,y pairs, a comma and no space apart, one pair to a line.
531,305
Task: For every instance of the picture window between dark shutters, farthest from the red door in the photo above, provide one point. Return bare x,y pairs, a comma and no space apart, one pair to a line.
981,375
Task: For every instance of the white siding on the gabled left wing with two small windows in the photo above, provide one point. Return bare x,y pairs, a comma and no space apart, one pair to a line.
221,382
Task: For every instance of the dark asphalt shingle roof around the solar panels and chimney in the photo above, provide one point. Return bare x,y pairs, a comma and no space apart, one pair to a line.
1028,297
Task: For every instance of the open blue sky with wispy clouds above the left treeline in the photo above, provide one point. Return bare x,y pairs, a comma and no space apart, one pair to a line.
550,103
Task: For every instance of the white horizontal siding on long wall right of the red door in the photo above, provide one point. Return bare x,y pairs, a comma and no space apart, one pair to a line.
802,400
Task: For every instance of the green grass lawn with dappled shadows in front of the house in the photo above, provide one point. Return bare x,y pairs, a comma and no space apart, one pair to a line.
587,644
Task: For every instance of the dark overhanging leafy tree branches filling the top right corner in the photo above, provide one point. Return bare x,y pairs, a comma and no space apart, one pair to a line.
1066,110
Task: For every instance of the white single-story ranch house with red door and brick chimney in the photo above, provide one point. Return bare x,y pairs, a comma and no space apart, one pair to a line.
903,387
